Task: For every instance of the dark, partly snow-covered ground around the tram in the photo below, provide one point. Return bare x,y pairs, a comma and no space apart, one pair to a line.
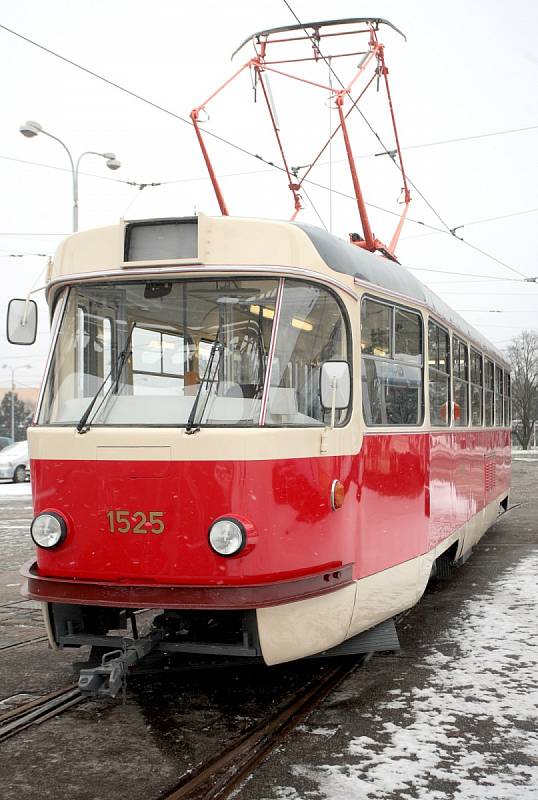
453,716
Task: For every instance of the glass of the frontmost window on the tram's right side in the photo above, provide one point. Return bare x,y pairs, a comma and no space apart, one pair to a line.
392,363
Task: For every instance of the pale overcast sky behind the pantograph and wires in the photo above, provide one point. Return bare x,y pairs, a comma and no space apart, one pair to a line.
469,68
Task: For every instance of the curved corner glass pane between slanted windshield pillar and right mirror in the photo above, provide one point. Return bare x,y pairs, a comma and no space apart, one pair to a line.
312,330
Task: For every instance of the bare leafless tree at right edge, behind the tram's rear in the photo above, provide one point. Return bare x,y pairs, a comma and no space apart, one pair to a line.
523,354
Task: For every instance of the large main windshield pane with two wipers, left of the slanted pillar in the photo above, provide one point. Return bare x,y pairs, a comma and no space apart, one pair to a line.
171,336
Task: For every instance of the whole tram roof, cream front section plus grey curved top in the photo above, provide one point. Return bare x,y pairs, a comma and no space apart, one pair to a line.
249,241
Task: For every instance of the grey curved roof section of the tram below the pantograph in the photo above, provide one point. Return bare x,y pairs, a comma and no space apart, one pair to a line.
376,270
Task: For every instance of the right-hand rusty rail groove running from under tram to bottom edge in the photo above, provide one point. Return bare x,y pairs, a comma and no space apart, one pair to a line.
218,777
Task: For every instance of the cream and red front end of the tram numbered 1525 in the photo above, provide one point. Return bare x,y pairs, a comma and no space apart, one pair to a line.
193,447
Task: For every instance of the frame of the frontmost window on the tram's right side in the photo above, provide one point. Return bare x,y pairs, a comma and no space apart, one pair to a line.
394,306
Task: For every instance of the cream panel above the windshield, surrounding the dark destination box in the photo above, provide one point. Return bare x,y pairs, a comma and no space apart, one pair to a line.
221,241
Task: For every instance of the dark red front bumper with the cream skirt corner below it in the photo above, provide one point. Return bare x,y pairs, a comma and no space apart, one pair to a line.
294,618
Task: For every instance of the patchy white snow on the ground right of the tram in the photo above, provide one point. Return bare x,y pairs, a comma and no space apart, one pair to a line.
490,686
